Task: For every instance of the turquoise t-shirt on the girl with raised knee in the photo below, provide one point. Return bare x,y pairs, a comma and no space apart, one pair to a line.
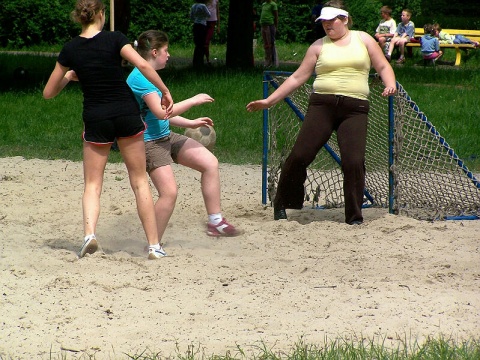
141,86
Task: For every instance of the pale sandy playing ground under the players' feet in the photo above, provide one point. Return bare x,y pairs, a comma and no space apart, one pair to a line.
311,277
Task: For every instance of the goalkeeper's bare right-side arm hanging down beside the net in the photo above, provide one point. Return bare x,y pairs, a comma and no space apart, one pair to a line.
380,64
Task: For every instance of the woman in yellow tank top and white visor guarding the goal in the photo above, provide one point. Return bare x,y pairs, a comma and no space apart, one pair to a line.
342,61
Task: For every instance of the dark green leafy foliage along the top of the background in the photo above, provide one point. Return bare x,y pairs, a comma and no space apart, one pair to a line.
25,23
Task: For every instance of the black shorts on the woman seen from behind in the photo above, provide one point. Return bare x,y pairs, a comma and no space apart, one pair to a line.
106,130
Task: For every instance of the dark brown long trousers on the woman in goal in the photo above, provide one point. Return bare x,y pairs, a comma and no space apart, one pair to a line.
325,114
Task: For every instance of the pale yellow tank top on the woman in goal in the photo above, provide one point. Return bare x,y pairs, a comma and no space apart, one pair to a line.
343,70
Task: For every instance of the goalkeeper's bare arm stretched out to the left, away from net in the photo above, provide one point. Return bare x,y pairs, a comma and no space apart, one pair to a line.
294,81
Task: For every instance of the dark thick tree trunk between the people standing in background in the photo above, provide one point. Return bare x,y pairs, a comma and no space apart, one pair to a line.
240,34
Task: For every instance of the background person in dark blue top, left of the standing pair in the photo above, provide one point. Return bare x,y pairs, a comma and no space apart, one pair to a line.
199,14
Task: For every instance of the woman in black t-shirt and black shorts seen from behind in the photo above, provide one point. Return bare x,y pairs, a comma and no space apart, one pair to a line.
110,112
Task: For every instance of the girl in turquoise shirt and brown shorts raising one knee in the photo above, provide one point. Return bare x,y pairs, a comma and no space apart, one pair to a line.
163,147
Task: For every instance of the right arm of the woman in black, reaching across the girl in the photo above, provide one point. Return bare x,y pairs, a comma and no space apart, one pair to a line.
129,54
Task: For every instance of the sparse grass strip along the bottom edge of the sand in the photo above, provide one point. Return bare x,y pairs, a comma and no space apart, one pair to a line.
440,348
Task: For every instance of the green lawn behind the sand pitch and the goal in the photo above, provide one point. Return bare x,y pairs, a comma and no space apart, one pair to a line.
51,129
